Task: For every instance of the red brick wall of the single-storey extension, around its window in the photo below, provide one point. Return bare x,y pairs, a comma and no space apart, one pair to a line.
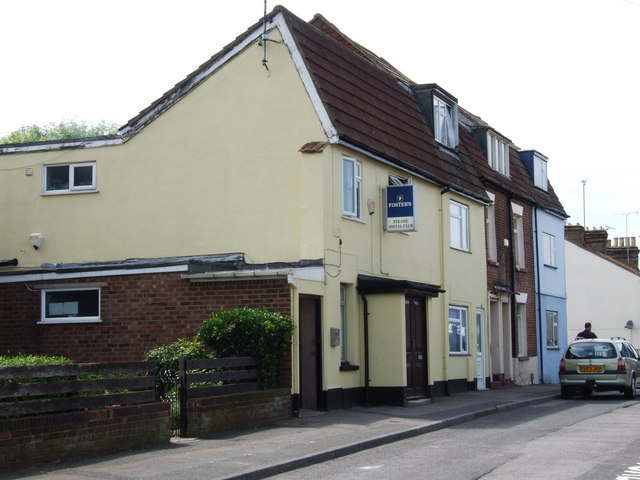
139,312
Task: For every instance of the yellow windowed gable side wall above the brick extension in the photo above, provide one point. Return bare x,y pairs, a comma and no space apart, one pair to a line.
219,172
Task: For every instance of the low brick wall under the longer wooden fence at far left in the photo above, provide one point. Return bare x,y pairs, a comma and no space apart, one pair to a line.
44,438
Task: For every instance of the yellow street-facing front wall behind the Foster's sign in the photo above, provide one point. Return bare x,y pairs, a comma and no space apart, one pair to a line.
362,247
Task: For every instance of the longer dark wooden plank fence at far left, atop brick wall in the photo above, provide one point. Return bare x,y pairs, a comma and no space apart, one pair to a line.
63,388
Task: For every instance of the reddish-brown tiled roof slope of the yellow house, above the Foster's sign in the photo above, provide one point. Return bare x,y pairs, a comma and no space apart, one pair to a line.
371,106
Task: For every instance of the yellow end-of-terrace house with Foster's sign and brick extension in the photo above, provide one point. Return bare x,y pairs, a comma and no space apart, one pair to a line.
295,170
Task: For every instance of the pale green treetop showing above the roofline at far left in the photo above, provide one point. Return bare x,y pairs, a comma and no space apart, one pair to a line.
58,131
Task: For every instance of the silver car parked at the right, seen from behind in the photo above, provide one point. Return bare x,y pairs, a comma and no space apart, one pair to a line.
599,365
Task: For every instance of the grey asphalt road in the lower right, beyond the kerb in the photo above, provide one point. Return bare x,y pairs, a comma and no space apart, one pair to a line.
593,439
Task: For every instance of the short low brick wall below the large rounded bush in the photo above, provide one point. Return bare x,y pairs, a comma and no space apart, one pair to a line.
238,411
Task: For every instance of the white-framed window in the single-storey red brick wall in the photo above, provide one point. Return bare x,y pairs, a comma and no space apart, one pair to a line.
70,305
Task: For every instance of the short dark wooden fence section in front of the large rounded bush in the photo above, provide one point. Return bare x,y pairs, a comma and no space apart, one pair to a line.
207,378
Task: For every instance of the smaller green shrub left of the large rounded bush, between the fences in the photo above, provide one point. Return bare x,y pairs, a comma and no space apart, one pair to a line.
167,360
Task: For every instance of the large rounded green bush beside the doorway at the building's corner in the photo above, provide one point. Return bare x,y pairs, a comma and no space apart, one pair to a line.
249,332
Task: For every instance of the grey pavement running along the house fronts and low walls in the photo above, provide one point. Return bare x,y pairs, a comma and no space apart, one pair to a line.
312,438
